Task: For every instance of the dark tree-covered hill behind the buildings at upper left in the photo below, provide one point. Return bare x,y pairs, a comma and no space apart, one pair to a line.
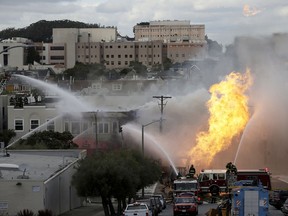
41,31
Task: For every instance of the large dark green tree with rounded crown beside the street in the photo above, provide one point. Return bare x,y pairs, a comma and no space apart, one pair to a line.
115,173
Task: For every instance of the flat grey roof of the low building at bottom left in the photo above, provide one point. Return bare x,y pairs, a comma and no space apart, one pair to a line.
35,164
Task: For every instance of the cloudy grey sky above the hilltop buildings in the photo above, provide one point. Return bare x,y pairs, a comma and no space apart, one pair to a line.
223,19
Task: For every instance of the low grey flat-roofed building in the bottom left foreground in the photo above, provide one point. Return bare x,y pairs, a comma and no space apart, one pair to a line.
39,180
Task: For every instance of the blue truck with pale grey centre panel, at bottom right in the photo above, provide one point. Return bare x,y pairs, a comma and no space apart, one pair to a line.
249,198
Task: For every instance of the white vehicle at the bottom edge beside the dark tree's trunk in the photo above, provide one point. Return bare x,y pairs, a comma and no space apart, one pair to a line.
137,209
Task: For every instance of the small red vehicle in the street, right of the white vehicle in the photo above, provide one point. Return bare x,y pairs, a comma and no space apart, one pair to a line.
185,206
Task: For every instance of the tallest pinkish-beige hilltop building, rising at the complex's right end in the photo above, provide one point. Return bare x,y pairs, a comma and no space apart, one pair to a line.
184,41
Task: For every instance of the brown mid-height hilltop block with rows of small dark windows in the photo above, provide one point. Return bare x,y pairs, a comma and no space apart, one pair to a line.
120,54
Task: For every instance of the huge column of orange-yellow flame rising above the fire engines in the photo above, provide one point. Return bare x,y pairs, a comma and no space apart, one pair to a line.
229,114
